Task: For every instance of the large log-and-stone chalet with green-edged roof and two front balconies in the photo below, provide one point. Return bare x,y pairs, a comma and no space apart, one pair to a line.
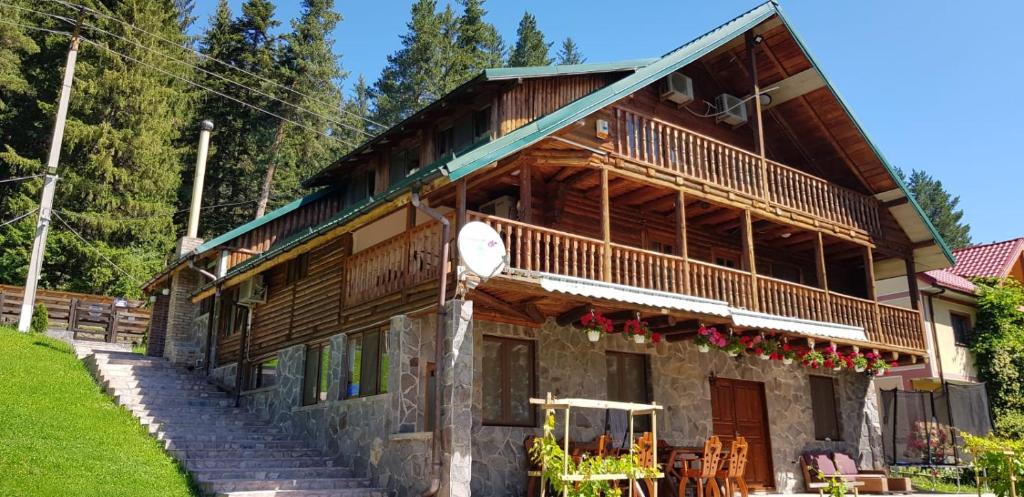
611,192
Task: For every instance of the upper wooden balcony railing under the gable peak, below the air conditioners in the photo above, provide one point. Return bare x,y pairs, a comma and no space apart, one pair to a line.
699,158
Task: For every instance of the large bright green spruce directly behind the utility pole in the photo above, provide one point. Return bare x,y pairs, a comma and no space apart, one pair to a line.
121,160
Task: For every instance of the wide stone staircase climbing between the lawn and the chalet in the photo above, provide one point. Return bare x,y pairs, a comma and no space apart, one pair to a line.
229,451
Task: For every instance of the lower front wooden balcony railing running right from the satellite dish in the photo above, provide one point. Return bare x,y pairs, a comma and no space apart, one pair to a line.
540,250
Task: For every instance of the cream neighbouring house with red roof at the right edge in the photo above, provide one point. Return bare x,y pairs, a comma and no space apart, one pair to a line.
950,312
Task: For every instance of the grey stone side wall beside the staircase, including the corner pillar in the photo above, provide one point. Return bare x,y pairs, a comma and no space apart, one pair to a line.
379,436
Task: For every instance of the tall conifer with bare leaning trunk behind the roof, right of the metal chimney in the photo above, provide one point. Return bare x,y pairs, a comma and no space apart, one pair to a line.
311,69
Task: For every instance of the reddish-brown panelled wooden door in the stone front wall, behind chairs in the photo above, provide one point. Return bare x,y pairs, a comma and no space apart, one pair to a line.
739,408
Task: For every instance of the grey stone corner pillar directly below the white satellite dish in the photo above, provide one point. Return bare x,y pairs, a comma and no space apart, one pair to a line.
457,400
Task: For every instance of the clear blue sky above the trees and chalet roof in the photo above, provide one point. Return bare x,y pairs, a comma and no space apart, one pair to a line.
933,82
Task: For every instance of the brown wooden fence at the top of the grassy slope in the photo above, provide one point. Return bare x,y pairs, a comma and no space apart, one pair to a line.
89,317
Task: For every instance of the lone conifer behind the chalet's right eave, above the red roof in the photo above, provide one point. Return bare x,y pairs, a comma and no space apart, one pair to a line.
942,209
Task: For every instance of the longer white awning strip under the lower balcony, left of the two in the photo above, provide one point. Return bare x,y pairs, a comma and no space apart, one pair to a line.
623,294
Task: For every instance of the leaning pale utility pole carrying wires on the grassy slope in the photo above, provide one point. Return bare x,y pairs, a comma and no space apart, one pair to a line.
50,183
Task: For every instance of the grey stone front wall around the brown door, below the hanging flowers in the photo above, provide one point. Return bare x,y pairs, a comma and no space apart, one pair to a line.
571,366
